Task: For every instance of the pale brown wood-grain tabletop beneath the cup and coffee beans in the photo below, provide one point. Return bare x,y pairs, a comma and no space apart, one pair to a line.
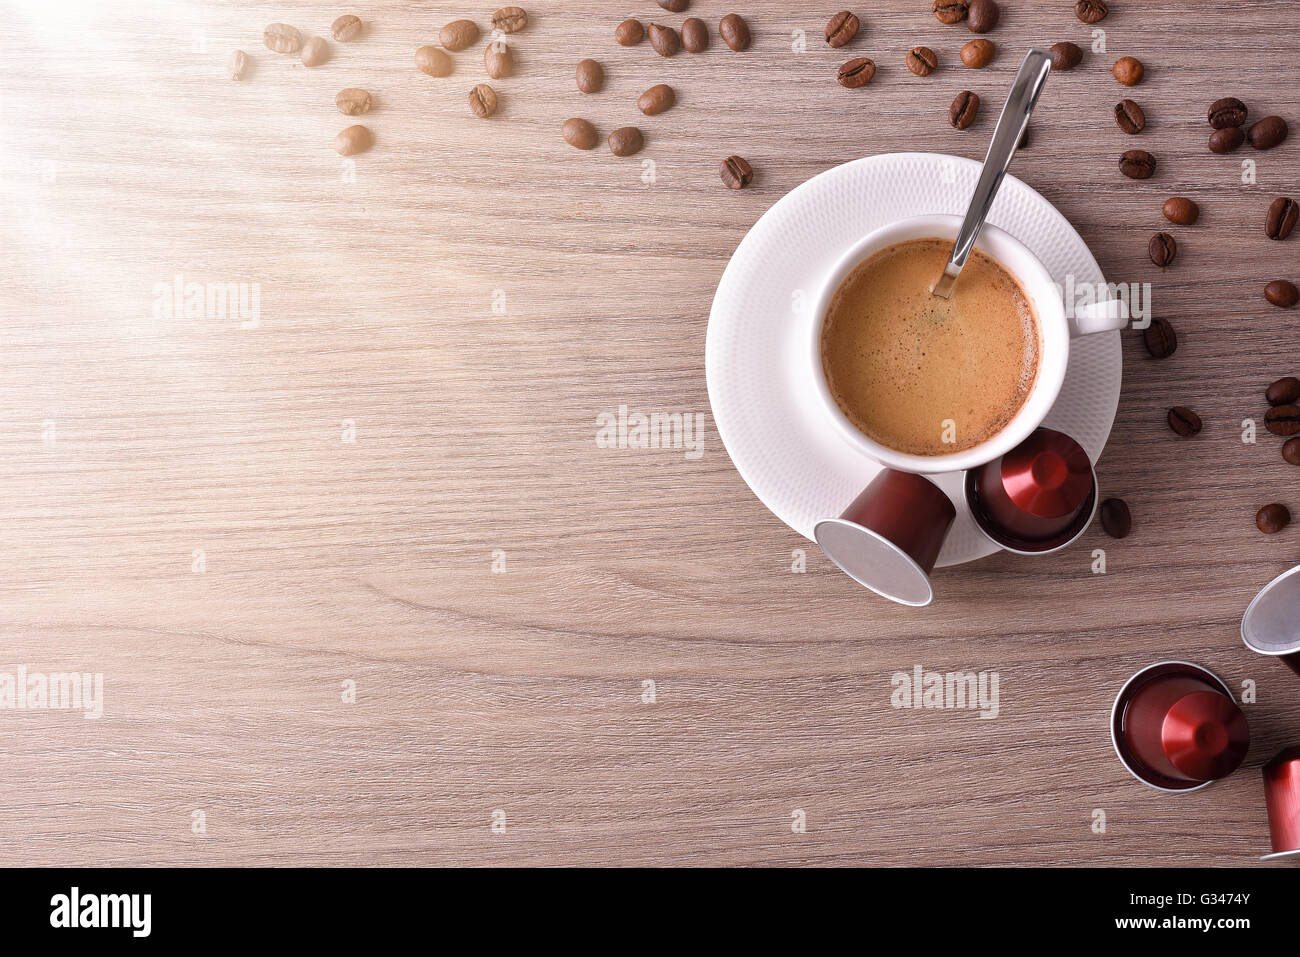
129,158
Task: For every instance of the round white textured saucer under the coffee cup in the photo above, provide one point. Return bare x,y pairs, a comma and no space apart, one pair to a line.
760,382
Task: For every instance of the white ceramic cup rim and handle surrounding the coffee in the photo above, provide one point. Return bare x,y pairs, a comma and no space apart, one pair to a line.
1055,328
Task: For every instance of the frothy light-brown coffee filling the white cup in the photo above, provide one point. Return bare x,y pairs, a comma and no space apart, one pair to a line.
924,375
